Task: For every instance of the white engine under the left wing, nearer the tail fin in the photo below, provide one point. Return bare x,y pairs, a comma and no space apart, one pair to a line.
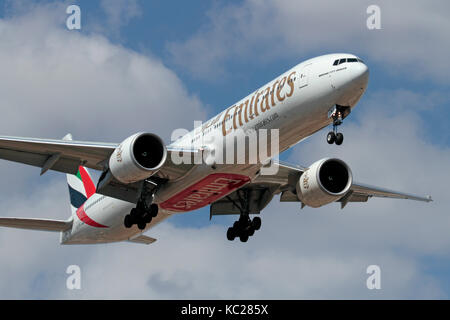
138,157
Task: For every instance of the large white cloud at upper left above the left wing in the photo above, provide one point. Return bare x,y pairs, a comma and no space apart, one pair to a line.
84,84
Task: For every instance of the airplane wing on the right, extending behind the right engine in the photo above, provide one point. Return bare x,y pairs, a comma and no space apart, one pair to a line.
264,188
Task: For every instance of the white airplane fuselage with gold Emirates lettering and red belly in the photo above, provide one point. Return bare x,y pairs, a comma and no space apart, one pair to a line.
296,103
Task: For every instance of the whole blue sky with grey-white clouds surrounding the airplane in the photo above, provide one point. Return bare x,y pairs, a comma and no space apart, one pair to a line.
214,53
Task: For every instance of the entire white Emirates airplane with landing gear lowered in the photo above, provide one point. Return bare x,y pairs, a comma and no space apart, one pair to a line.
143,181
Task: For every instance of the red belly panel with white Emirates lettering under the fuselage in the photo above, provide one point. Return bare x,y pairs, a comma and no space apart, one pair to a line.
204,192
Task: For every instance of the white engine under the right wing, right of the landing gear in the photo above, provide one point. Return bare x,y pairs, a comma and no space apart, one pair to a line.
323,182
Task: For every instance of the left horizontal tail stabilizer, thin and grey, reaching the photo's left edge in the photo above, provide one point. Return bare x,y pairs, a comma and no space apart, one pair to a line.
35,224
